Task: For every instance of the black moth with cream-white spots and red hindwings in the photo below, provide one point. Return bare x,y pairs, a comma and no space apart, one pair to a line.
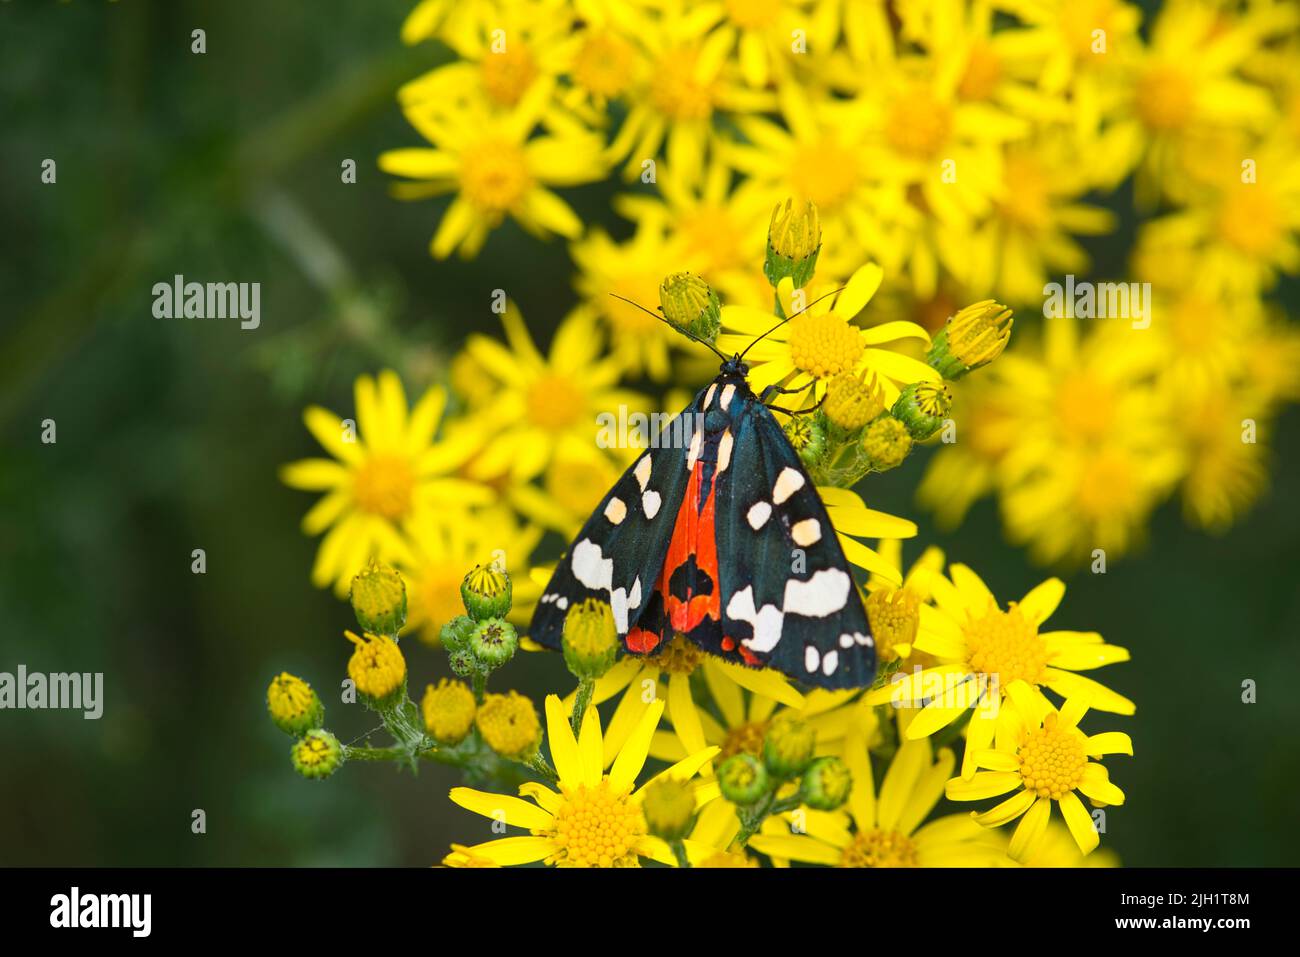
721,536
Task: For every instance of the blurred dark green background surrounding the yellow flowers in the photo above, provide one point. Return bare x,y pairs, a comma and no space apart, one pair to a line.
227,167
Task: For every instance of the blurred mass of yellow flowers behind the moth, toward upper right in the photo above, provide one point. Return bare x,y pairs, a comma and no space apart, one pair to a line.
963,148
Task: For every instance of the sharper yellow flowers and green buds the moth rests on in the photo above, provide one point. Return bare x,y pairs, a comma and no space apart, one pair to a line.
699,761
